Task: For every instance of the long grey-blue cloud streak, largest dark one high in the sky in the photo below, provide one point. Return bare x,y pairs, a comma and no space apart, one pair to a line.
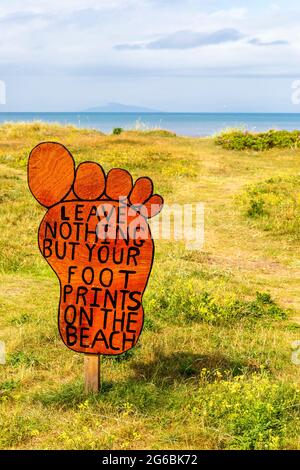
188,40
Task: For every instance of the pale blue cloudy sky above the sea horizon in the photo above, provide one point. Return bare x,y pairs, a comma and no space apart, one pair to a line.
169,55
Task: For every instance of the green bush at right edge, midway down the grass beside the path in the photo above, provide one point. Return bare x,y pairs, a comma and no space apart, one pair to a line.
273,205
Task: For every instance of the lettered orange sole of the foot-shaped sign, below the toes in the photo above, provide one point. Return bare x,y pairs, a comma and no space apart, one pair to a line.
102,279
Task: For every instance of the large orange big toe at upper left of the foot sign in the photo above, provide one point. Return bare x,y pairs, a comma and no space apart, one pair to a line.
51,171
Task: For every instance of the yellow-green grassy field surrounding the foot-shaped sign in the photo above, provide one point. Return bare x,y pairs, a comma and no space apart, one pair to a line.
213,367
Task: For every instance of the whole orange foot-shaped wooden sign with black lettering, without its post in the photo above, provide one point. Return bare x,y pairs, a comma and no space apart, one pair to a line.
96,238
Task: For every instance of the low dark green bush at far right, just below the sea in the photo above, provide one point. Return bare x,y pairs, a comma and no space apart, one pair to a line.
241,140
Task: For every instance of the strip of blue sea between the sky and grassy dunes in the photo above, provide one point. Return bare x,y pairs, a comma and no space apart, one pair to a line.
192,124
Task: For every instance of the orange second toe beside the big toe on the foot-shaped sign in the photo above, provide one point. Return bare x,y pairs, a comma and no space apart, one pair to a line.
89,181
